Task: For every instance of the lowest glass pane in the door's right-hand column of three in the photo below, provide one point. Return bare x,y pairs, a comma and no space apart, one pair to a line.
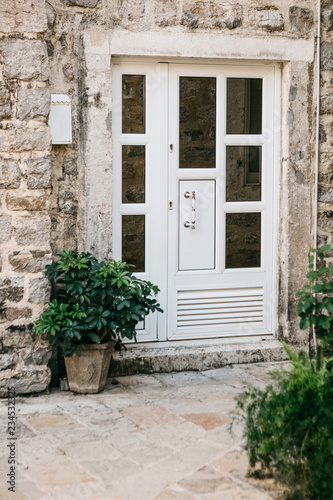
243,236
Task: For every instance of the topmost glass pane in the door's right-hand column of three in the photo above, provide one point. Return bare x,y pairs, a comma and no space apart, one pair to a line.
244,105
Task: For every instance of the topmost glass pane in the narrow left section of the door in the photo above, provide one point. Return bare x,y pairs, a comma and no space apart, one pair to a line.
133,106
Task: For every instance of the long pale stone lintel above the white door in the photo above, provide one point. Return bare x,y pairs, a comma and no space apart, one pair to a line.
198,45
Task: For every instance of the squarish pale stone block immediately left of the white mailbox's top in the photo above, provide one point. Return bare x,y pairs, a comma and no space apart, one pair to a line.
33,103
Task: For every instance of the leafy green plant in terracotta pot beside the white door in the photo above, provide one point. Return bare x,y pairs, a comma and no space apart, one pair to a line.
95,305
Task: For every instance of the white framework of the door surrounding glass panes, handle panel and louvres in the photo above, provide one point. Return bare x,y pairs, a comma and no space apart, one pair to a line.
161,221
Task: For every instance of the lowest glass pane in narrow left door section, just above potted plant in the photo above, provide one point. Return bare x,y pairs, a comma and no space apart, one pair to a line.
133,241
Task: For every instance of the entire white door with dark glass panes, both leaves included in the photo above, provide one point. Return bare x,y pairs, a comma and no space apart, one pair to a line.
194,194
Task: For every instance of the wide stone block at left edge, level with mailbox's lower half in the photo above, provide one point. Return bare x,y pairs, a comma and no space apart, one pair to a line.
24,137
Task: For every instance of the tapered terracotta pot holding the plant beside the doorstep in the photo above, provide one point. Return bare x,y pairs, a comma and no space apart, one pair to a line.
88,373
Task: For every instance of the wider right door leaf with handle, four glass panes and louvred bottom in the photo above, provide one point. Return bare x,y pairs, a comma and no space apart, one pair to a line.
221,272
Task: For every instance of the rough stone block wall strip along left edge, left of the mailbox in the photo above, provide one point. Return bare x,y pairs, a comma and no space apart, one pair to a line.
25,185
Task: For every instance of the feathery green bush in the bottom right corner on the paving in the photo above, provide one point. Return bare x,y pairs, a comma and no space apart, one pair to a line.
289,428
